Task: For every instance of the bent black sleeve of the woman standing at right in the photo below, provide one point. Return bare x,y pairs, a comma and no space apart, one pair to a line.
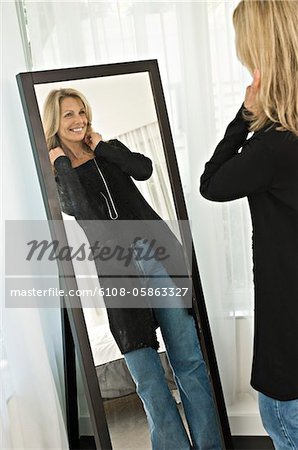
231,174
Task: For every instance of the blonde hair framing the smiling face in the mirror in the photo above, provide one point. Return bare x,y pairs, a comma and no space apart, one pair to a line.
51,113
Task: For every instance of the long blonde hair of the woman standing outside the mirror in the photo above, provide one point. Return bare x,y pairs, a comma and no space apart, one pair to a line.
267,39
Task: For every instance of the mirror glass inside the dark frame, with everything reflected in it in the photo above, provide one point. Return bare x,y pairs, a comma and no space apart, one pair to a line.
108,160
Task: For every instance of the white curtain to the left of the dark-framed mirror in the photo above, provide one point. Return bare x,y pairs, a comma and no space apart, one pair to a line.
31,366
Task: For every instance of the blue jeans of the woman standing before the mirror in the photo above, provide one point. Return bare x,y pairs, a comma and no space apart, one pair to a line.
280,420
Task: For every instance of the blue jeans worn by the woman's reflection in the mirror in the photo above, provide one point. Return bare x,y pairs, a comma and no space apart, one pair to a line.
167,431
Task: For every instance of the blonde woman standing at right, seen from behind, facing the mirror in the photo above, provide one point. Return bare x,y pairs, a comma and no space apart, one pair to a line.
266,171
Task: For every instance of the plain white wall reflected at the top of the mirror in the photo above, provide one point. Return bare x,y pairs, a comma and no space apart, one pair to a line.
133,108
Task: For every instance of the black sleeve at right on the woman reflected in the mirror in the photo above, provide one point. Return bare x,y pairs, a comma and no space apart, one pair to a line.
133,164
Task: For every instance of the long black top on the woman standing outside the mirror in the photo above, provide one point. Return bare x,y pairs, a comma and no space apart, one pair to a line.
266,171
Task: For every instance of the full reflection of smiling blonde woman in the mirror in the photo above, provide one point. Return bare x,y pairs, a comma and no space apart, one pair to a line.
94,180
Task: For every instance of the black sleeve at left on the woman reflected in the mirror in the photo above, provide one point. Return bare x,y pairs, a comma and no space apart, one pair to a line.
72,195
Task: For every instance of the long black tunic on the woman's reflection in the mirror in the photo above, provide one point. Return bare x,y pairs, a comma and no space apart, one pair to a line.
91,199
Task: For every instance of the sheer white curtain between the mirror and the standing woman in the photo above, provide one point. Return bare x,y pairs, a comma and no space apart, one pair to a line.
204,86
